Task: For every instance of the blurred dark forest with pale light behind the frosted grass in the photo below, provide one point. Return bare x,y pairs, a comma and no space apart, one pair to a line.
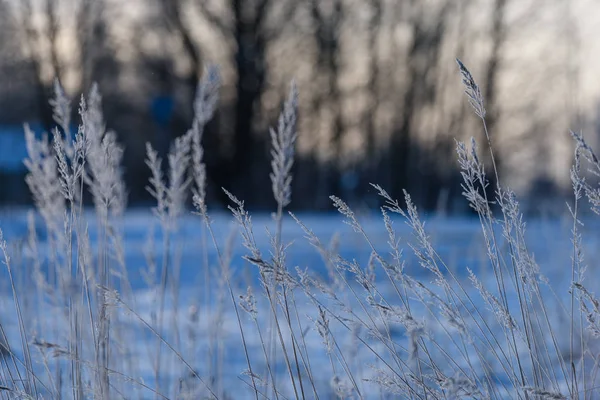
380,95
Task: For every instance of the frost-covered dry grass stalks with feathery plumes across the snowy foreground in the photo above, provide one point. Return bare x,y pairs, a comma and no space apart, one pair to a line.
383,331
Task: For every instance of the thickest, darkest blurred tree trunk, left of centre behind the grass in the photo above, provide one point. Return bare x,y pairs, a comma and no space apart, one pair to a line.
252,31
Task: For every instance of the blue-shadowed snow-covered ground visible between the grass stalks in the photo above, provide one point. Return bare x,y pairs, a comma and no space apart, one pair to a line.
202,325
